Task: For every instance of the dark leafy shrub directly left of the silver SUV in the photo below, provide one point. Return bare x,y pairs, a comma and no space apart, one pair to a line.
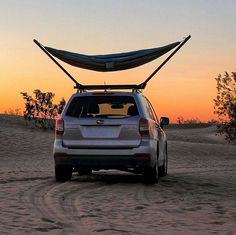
40,109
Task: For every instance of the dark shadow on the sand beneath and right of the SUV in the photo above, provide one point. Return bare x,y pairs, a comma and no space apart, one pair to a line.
177,183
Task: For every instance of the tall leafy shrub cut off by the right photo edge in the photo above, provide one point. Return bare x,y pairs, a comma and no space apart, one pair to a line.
225,105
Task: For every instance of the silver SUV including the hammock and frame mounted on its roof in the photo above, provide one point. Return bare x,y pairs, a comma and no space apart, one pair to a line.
110,130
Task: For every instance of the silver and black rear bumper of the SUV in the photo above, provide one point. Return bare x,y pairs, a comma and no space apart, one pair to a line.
136,158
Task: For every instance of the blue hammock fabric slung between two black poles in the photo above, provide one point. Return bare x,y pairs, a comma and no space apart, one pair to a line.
111,62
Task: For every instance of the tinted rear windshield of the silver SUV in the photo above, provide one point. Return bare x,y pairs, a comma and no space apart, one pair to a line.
102,106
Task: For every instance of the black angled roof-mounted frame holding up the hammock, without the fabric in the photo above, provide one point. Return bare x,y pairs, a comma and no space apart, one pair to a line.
140,86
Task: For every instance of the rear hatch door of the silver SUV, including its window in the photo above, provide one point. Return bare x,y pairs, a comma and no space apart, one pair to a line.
102,122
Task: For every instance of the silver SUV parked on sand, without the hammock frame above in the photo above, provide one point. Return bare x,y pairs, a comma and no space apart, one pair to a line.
110,130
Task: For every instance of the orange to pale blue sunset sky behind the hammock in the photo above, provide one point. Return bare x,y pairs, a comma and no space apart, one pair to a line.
184,87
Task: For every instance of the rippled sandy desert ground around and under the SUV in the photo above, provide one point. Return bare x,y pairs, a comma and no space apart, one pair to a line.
197,197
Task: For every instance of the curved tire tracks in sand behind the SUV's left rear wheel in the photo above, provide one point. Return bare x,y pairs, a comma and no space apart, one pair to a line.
49,201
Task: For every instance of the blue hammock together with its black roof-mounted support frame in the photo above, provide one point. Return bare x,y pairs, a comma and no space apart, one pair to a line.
111,62
